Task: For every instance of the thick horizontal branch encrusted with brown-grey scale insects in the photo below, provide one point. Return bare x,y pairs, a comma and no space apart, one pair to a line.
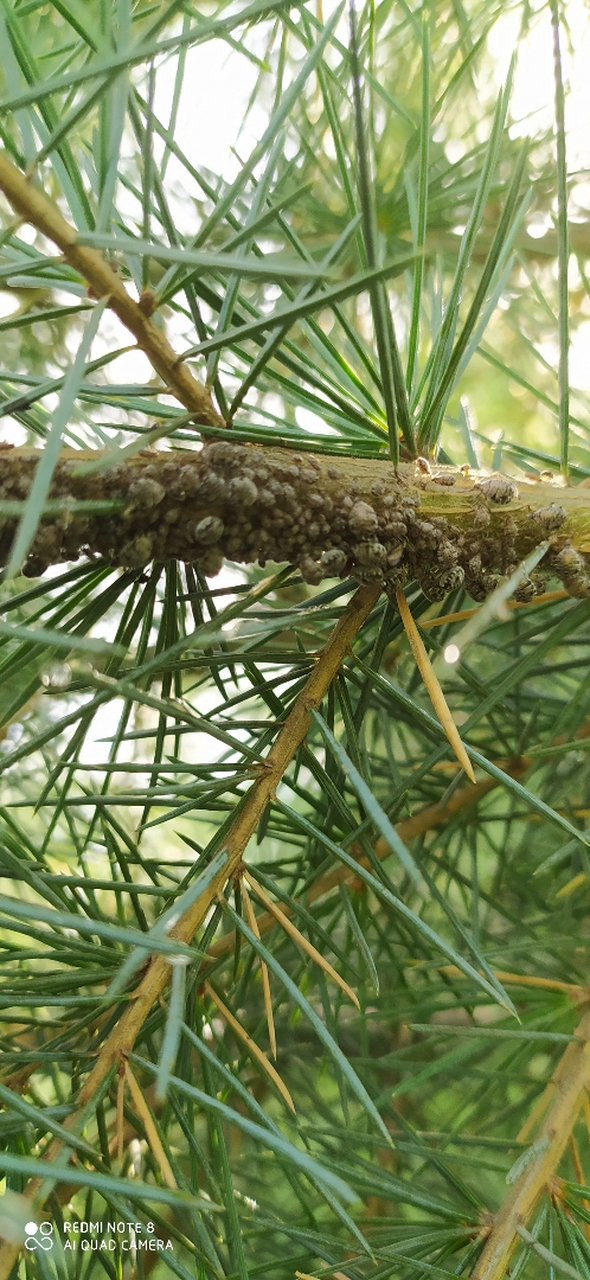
328,515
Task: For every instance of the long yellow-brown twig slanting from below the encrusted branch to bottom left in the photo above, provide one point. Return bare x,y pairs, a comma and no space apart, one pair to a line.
122,1039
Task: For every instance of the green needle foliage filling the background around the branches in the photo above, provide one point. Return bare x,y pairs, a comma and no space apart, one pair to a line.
138,706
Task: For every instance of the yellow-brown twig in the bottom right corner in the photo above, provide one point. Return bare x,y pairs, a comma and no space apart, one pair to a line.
571,1081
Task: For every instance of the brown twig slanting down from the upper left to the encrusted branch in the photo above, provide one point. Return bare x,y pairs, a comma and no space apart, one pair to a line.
34,207
